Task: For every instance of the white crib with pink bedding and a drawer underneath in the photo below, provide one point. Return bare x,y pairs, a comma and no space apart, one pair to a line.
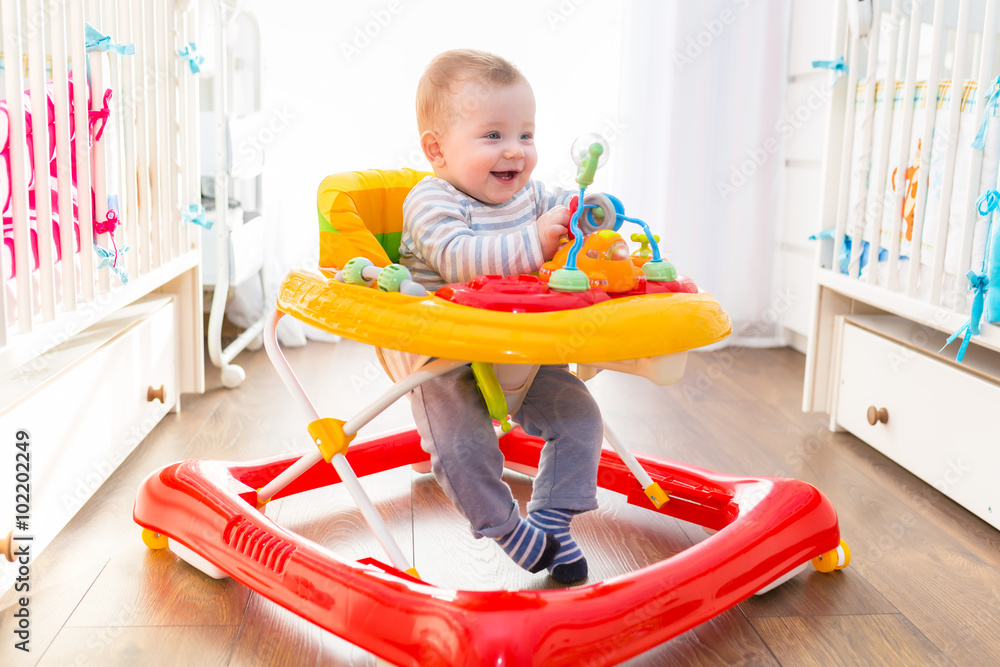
97,342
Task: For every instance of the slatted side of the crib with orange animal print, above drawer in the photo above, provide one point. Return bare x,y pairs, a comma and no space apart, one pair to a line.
940,58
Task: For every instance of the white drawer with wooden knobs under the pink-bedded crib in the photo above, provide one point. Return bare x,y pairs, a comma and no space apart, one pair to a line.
86,406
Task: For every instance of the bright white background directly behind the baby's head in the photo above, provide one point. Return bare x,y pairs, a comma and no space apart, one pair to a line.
343,76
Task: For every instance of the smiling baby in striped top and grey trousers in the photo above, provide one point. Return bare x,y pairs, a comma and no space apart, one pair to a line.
482,214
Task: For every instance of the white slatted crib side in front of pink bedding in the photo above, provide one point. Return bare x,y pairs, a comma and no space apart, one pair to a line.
115,182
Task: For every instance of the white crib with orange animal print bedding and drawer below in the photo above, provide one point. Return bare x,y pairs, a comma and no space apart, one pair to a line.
901,179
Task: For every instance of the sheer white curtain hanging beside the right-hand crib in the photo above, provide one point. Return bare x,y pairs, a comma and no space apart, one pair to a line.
702,101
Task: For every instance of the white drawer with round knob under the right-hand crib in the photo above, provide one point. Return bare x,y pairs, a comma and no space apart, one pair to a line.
940,418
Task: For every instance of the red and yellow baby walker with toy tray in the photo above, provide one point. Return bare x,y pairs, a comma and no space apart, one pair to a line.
590,306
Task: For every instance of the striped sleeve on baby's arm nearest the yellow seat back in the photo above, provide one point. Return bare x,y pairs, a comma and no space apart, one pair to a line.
443,240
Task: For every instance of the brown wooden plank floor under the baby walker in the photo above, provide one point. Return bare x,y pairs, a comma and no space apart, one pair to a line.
923,587
